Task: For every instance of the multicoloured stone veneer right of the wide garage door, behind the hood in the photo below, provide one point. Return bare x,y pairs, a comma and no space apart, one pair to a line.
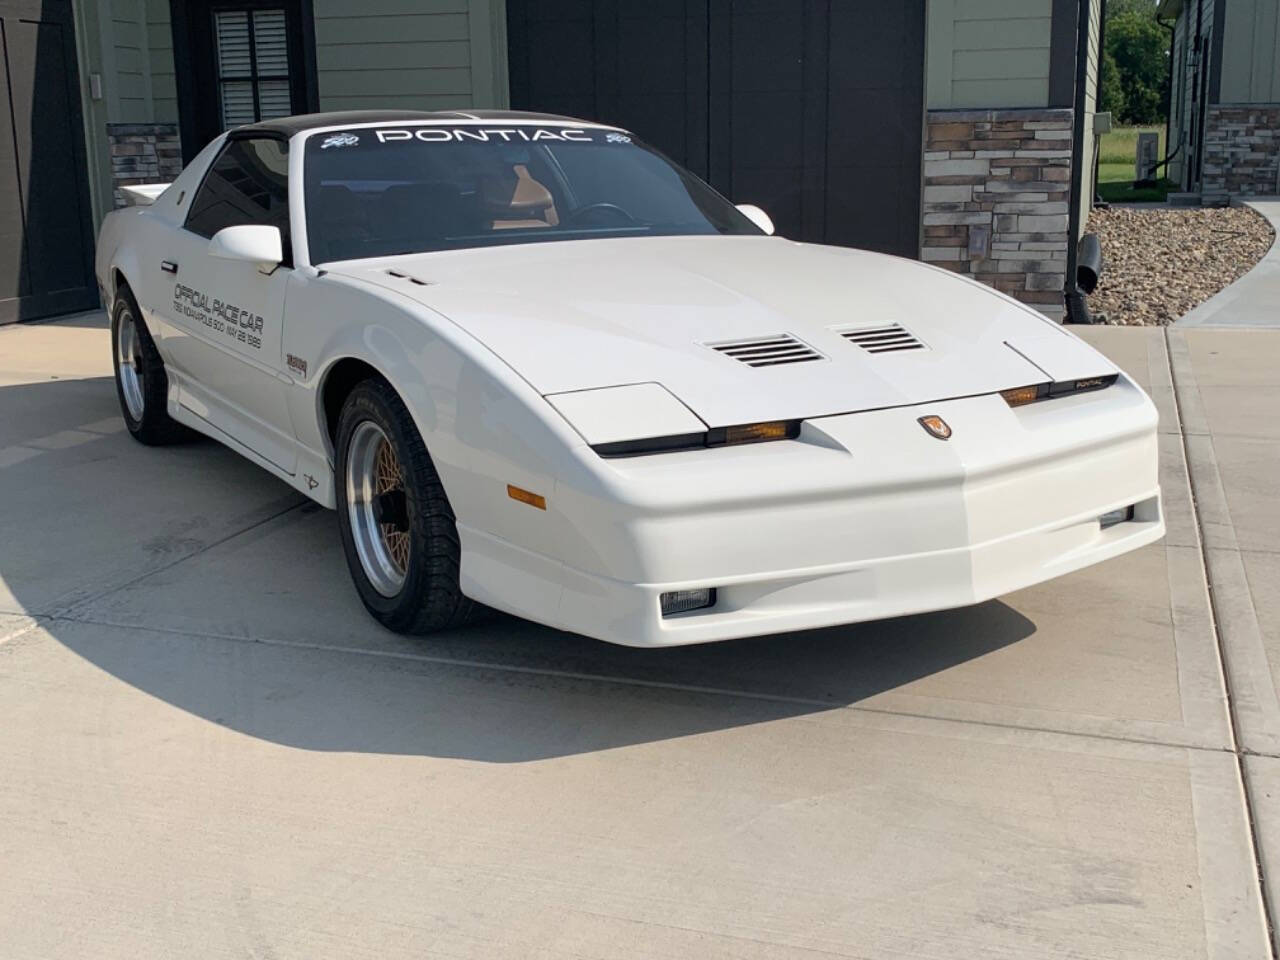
998,190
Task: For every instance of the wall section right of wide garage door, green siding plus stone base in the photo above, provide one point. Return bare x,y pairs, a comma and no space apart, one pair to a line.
999,152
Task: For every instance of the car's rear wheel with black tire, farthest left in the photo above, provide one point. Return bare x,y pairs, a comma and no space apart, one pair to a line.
141,382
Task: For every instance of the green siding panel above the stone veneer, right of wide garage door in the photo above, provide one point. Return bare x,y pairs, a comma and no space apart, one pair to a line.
989,54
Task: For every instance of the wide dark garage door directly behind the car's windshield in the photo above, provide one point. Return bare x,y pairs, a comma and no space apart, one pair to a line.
811,109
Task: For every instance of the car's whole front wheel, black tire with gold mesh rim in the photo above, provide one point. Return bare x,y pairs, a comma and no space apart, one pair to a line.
397,528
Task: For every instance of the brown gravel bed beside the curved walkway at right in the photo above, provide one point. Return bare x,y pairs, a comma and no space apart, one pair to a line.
1160,263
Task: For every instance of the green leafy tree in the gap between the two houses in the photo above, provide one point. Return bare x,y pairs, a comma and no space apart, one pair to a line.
1139,48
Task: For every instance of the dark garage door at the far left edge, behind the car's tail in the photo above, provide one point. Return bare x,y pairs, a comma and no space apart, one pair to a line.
45,234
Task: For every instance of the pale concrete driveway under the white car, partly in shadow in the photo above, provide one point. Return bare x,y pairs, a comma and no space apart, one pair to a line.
211,751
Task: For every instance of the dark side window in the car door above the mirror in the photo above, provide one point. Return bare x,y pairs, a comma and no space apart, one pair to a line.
249,184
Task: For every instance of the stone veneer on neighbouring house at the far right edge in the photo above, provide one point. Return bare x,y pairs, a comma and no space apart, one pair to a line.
1242,152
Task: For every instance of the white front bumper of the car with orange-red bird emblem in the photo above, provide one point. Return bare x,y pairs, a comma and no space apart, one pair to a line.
866,516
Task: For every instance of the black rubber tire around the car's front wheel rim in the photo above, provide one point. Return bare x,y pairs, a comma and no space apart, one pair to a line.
431,598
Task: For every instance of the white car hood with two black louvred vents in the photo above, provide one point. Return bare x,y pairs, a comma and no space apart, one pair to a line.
578,316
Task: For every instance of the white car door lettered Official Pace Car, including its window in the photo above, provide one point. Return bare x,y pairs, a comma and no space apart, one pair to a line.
228,316
